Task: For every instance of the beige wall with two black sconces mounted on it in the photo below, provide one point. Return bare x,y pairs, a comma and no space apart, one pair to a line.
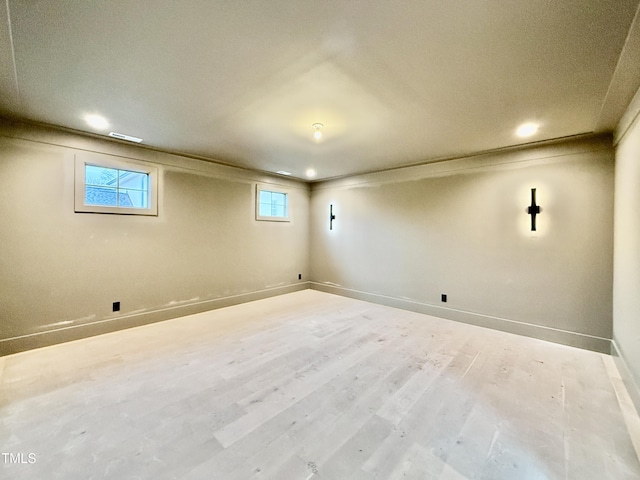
460,227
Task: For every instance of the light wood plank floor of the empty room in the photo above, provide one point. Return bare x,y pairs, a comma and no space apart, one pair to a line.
312,386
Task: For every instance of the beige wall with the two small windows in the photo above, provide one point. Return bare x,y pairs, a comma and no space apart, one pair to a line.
61,271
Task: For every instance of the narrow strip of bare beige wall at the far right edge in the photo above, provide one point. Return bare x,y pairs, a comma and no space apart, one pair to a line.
626,291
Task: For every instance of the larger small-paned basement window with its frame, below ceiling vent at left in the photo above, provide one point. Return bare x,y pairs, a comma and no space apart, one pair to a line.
106,184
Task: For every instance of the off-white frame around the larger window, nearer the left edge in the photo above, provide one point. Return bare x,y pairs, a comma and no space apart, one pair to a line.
105,161
